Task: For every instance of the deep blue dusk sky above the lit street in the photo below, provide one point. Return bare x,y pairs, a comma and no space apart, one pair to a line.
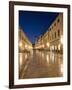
35,23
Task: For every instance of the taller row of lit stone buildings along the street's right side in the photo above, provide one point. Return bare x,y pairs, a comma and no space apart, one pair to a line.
52,39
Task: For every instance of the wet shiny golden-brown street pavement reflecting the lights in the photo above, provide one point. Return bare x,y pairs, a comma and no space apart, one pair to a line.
40,64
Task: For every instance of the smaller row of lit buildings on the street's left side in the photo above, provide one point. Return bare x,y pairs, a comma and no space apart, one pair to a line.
24,43
